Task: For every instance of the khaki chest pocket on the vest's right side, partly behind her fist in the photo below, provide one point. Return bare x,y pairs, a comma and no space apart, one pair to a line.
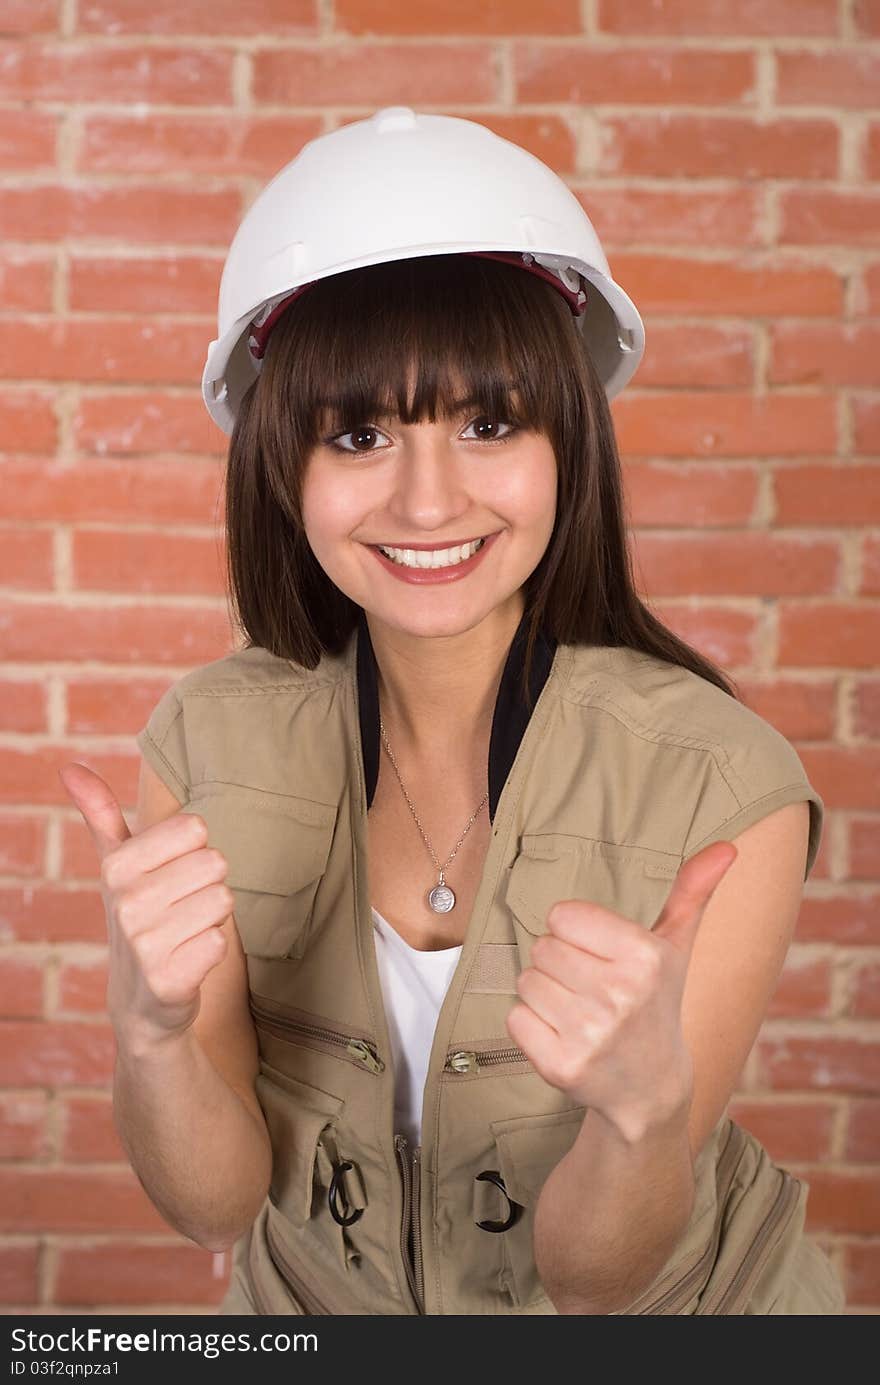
633,882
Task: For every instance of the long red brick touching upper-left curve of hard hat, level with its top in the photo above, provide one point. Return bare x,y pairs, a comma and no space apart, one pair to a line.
193,143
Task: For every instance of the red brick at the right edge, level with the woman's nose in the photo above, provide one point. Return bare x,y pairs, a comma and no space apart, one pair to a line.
838,494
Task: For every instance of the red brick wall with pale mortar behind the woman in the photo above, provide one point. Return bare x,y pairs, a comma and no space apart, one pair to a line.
728,153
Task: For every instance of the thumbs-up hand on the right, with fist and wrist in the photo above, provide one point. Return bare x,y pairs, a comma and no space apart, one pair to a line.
601,1005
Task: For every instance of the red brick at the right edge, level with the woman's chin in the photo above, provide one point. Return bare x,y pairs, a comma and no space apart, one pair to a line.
841,635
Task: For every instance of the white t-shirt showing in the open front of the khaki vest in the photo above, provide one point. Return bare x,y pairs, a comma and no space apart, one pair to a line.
414,988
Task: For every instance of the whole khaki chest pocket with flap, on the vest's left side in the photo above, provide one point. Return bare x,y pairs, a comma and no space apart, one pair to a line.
278,848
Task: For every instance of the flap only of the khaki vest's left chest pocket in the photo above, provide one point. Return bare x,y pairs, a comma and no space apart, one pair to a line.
274,843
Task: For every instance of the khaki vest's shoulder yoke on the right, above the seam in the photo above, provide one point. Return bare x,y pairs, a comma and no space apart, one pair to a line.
669,704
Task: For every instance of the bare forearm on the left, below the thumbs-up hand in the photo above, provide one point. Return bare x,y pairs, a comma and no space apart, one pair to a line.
193,1143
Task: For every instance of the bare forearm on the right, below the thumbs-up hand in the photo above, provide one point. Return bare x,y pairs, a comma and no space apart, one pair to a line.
612,1211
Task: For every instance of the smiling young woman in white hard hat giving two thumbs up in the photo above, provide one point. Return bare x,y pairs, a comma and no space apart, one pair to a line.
433,998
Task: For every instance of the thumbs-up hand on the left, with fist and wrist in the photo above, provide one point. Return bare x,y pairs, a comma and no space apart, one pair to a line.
164,898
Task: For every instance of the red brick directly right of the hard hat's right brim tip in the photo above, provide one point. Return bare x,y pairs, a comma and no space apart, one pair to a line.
716,358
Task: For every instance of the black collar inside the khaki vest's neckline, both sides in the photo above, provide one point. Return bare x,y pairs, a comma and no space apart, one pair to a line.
509,720
